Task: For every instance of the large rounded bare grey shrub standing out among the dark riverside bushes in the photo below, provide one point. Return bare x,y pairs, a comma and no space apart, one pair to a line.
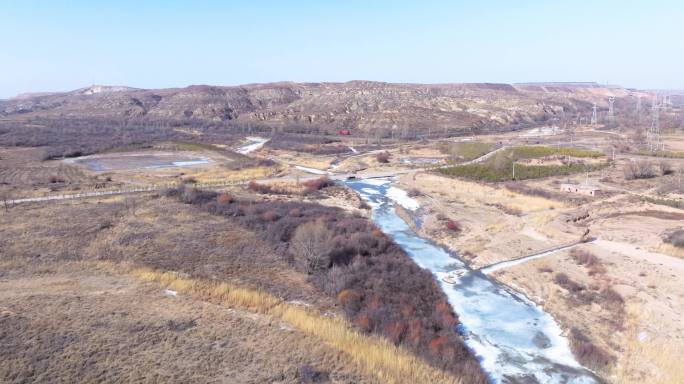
311,245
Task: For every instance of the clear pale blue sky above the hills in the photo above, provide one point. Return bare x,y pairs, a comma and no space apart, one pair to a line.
64,45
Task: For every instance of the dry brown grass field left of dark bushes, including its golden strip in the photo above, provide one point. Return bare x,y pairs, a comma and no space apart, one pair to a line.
231,309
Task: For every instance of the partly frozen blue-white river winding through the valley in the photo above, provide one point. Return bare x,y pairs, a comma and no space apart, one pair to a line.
514,339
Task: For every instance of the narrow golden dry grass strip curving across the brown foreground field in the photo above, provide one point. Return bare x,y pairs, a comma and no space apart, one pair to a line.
376,356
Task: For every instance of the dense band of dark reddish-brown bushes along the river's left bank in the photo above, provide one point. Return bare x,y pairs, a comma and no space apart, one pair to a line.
379,287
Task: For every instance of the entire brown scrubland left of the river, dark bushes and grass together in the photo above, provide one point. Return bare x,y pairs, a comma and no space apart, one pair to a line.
220,260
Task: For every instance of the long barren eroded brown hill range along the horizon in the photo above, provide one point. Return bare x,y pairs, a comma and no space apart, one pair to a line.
355,105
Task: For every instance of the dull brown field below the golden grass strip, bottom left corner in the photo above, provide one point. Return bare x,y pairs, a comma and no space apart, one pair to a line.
80,322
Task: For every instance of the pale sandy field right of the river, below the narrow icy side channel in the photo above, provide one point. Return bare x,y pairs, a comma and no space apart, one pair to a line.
624,331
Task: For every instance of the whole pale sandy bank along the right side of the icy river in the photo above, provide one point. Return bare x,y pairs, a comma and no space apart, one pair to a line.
608,309
